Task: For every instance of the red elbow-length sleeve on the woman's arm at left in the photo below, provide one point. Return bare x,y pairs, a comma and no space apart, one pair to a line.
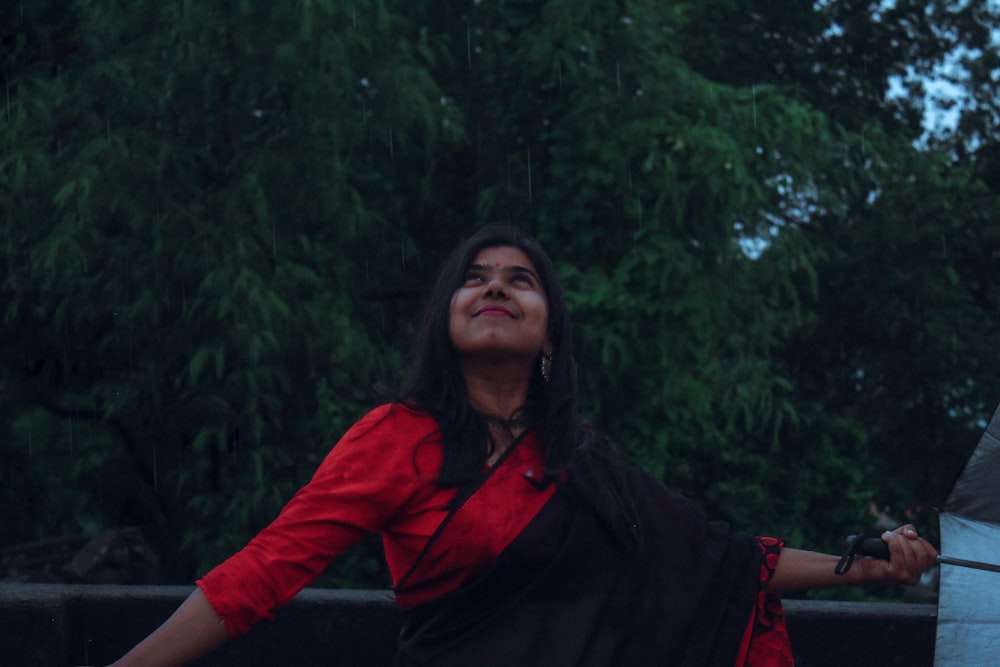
375,469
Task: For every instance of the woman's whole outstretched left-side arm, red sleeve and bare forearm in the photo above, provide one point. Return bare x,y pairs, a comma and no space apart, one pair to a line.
360,483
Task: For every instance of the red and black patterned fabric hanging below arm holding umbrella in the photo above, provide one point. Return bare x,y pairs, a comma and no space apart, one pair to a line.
766,642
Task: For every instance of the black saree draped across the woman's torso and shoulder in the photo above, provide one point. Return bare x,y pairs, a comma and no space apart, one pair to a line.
564,593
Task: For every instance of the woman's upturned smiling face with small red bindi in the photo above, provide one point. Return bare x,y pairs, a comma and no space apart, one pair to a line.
500,311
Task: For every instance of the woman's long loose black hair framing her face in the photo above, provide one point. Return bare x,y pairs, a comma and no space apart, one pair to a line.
574,451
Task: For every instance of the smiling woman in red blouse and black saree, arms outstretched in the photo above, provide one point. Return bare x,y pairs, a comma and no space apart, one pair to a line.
513,532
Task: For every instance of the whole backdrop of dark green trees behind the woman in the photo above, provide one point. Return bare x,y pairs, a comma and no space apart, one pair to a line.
219,220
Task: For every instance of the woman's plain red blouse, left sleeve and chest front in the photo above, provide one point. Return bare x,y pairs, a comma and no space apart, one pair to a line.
379,477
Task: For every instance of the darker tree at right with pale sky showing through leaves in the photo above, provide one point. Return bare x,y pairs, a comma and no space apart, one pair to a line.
903,314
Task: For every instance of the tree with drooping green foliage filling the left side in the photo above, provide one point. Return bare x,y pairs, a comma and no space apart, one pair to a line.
190,234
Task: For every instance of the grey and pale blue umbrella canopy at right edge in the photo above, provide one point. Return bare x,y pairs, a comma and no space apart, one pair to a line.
969,599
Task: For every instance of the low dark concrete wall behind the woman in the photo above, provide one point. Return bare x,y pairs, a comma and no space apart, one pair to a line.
44,625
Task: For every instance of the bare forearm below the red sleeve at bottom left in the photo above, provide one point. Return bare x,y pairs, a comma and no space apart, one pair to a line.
191,632
